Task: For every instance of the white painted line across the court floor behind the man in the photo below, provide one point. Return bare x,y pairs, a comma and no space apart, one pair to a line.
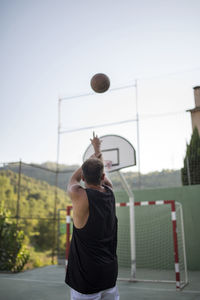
132,287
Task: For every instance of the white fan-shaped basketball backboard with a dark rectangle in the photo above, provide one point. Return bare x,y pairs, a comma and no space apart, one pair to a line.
118,153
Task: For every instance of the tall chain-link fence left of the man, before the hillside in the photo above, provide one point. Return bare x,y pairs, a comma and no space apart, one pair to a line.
36,198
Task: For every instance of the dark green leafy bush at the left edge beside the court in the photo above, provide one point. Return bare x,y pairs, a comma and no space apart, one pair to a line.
13,254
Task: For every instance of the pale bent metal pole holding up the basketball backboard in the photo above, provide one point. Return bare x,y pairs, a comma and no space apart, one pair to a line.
132,223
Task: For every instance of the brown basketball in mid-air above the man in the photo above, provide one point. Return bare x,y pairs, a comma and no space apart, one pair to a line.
100,83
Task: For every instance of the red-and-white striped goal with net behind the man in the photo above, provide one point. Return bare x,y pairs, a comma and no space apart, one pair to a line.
159,242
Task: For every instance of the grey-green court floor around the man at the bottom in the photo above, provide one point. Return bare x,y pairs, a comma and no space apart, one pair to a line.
47,283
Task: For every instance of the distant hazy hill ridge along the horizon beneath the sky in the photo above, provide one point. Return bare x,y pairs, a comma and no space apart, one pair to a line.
47,172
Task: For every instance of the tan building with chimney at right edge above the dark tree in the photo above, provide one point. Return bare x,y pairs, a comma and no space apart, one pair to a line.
195,112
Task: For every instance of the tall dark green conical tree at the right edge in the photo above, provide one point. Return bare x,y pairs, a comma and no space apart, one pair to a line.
190,173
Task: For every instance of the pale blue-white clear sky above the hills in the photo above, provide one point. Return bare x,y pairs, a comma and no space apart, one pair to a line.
51,49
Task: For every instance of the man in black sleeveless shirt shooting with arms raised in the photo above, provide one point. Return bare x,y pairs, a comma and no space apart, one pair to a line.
92,265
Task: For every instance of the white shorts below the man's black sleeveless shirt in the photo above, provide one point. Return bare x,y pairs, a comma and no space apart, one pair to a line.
110,294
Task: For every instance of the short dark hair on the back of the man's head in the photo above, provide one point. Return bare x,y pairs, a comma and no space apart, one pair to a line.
92,170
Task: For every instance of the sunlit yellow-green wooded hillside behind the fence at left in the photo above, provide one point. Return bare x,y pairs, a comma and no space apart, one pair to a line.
37,198
